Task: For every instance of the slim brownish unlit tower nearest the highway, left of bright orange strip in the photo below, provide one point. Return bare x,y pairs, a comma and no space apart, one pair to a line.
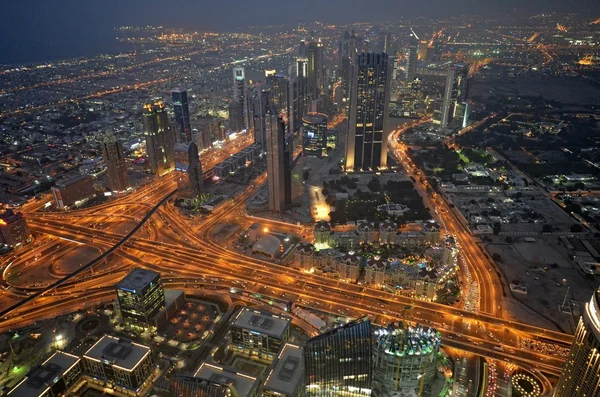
277,158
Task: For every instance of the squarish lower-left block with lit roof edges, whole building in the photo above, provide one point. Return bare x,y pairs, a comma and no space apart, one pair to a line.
122,363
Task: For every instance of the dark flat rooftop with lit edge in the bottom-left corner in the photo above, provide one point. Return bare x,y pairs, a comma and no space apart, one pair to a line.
40,378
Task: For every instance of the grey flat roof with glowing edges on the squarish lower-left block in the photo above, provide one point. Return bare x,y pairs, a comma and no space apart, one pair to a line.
117,351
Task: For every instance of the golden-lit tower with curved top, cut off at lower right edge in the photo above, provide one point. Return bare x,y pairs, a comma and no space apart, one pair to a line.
581,373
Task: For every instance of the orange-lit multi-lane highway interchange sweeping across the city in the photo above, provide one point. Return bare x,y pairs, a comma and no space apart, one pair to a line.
185,252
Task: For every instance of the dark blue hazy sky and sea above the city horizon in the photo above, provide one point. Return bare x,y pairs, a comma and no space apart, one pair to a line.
33,30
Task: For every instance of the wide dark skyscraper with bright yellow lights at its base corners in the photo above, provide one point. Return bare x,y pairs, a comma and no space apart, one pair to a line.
366,146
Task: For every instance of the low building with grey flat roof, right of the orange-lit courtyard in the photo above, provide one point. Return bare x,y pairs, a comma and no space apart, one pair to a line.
259,333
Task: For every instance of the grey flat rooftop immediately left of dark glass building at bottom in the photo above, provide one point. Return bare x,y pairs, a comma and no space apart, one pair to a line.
286,375
